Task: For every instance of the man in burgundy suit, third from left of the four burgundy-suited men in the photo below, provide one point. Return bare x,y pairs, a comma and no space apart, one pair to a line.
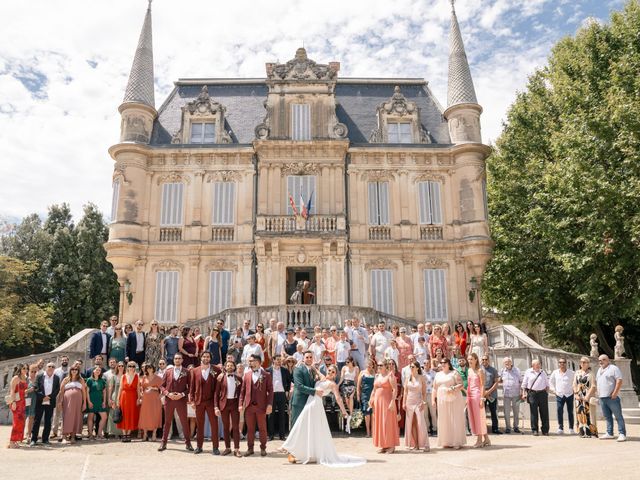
228,387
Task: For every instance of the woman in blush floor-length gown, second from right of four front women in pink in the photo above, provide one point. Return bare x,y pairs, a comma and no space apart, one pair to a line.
447,396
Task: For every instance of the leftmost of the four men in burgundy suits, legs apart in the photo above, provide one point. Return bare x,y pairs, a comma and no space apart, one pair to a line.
175,387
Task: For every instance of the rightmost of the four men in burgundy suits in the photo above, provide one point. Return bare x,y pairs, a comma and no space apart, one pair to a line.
256,398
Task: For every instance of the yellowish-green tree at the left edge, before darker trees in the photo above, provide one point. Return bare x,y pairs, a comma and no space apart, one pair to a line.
24,327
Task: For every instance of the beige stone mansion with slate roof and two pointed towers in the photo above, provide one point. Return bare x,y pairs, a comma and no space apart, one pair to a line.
233,191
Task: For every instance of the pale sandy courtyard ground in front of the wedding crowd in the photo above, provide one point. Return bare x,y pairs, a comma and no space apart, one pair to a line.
510,457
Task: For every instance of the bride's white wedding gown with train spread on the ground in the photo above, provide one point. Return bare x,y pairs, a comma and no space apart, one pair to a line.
310,438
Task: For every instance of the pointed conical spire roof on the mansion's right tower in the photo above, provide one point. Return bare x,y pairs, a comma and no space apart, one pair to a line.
460,82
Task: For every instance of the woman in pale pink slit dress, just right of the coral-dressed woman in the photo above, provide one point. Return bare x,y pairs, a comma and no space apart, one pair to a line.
414,400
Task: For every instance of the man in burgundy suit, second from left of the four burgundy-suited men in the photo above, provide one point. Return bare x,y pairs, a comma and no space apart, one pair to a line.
202,387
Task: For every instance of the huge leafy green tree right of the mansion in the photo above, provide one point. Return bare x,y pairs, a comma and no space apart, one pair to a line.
564,192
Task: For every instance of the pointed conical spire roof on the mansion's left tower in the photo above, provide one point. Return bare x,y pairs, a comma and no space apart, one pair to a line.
140,86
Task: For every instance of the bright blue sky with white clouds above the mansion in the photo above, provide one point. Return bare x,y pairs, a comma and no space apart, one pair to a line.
64,66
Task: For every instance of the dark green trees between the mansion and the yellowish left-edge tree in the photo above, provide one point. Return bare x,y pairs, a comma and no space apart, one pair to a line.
67,270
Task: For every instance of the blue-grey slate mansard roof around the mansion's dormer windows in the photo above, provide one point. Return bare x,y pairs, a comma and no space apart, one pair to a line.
357,100
